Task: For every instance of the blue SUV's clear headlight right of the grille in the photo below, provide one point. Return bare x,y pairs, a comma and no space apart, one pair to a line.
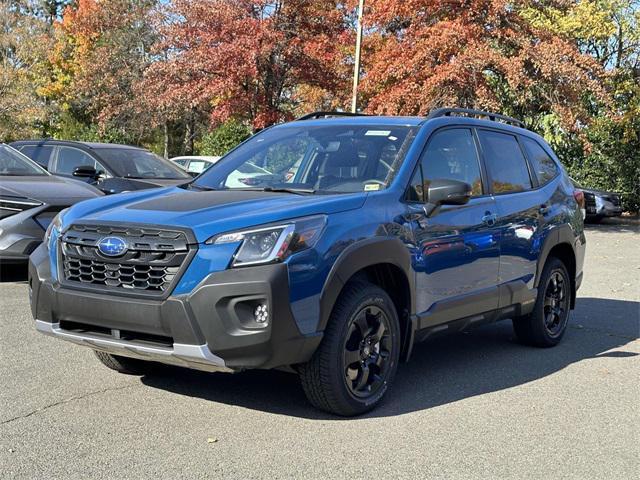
273,243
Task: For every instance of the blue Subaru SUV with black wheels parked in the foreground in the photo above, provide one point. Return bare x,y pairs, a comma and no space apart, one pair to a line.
327,246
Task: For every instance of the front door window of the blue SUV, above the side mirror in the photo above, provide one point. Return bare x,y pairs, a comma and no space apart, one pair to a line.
451,155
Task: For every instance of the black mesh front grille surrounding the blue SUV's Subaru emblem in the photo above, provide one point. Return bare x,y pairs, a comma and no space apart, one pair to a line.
150,265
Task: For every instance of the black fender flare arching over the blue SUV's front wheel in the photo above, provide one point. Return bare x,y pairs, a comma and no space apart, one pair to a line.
357,256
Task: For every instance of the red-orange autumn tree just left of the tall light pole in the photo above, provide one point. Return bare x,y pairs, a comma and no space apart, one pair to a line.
252,60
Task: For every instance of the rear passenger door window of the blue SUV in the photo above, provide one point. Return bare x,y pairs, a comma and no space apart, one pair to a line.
505,162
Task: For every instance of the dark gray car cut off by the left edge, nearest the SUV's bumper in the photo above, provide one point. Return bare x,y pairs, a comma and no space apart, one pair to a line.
29,199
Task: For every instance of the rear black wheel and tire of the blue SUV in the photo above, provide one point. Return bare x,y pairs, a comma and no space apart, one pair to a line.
546,324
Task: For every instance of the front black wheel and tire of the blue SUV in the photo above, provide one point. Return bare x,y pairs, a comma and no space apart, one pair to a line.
356,361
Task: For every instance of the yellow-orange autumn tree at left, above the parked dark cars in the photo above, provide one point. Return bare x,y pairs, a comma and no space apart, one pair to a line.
102,50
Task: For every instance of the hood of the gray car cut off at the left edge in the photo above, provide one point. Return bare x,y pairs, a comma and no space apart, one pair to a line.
48,189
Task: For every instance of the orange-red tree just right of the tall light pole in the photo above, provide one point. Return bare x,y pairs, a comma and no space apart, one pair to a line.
422,54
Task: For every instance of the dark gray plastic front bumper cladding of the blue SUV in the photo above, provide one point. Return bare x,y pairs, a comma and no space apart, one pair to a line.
219,312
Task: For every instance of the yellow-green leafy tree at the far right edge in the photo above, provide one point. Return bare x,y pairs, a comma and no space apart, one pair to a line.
606,153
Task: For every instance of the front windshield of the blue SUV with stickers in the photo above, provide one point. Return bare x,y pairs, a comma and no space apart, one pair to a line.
332,159
